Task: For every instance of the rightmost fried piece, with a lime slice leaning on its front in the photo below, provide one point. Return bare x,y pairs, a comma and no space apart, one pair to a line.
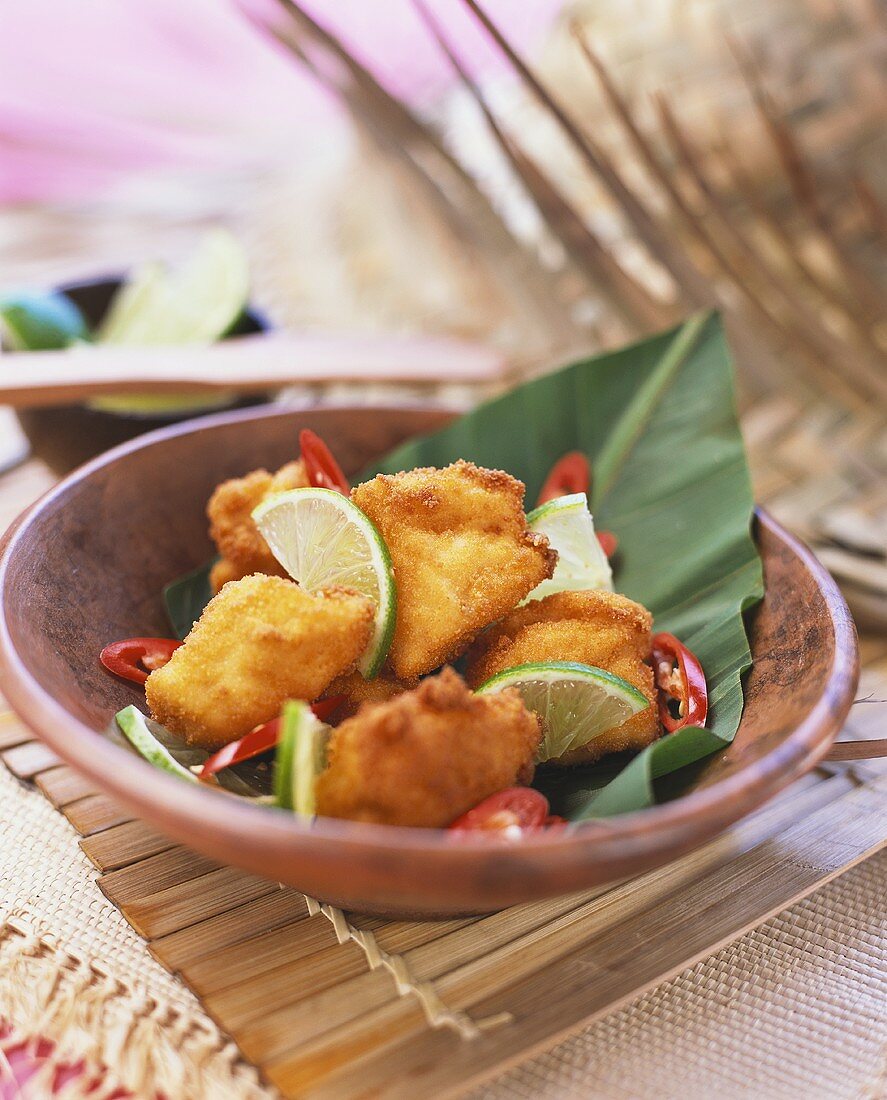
594,628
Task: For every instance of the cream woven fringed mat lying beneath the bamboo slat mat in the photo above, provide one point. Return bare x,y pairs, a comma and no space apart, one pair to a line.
796,1008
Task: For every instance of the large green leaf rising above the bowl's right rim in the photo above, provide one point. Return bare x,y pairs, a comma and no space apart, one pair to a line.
659,423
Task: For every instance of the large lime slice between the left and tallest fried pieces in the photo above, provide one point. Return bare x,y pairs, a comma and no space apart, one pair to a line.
322,540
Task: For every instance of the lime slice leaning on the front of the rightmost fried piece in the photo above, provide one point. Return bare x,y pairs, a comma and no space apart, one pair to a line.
576,702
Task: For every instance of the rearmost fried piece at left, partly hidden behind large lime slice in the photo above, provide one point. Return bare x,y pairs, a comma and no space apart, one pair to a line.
243,548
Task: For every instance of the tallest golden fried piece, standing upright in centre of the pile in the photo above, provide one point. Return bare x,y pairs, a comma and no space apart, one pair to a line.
462,553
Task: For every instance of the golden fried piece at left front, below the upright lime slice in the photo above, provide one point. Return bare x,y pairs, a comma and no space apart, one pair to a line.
259,643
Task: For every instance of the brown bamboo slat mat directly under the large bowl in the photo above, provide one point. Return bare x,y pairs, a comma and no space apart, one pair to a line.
331,1005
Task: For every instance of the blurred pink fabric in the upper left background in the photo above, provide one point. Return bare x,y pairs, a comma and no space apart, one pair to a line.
94,91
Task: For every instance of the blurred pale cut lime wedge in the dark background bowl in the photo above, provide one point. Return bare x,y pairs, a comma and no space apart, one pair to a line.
199,304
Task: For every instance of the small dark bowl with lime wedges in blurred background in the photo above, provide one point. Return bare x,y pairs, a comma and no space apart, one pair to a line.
67,436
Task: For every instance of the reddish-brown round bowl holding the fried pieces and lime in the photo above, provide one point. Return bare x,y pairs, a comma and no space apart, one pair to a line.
87,563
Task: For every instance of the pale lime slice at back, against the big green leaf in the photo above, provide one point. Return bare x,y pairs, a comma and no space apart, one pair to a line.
567,524
